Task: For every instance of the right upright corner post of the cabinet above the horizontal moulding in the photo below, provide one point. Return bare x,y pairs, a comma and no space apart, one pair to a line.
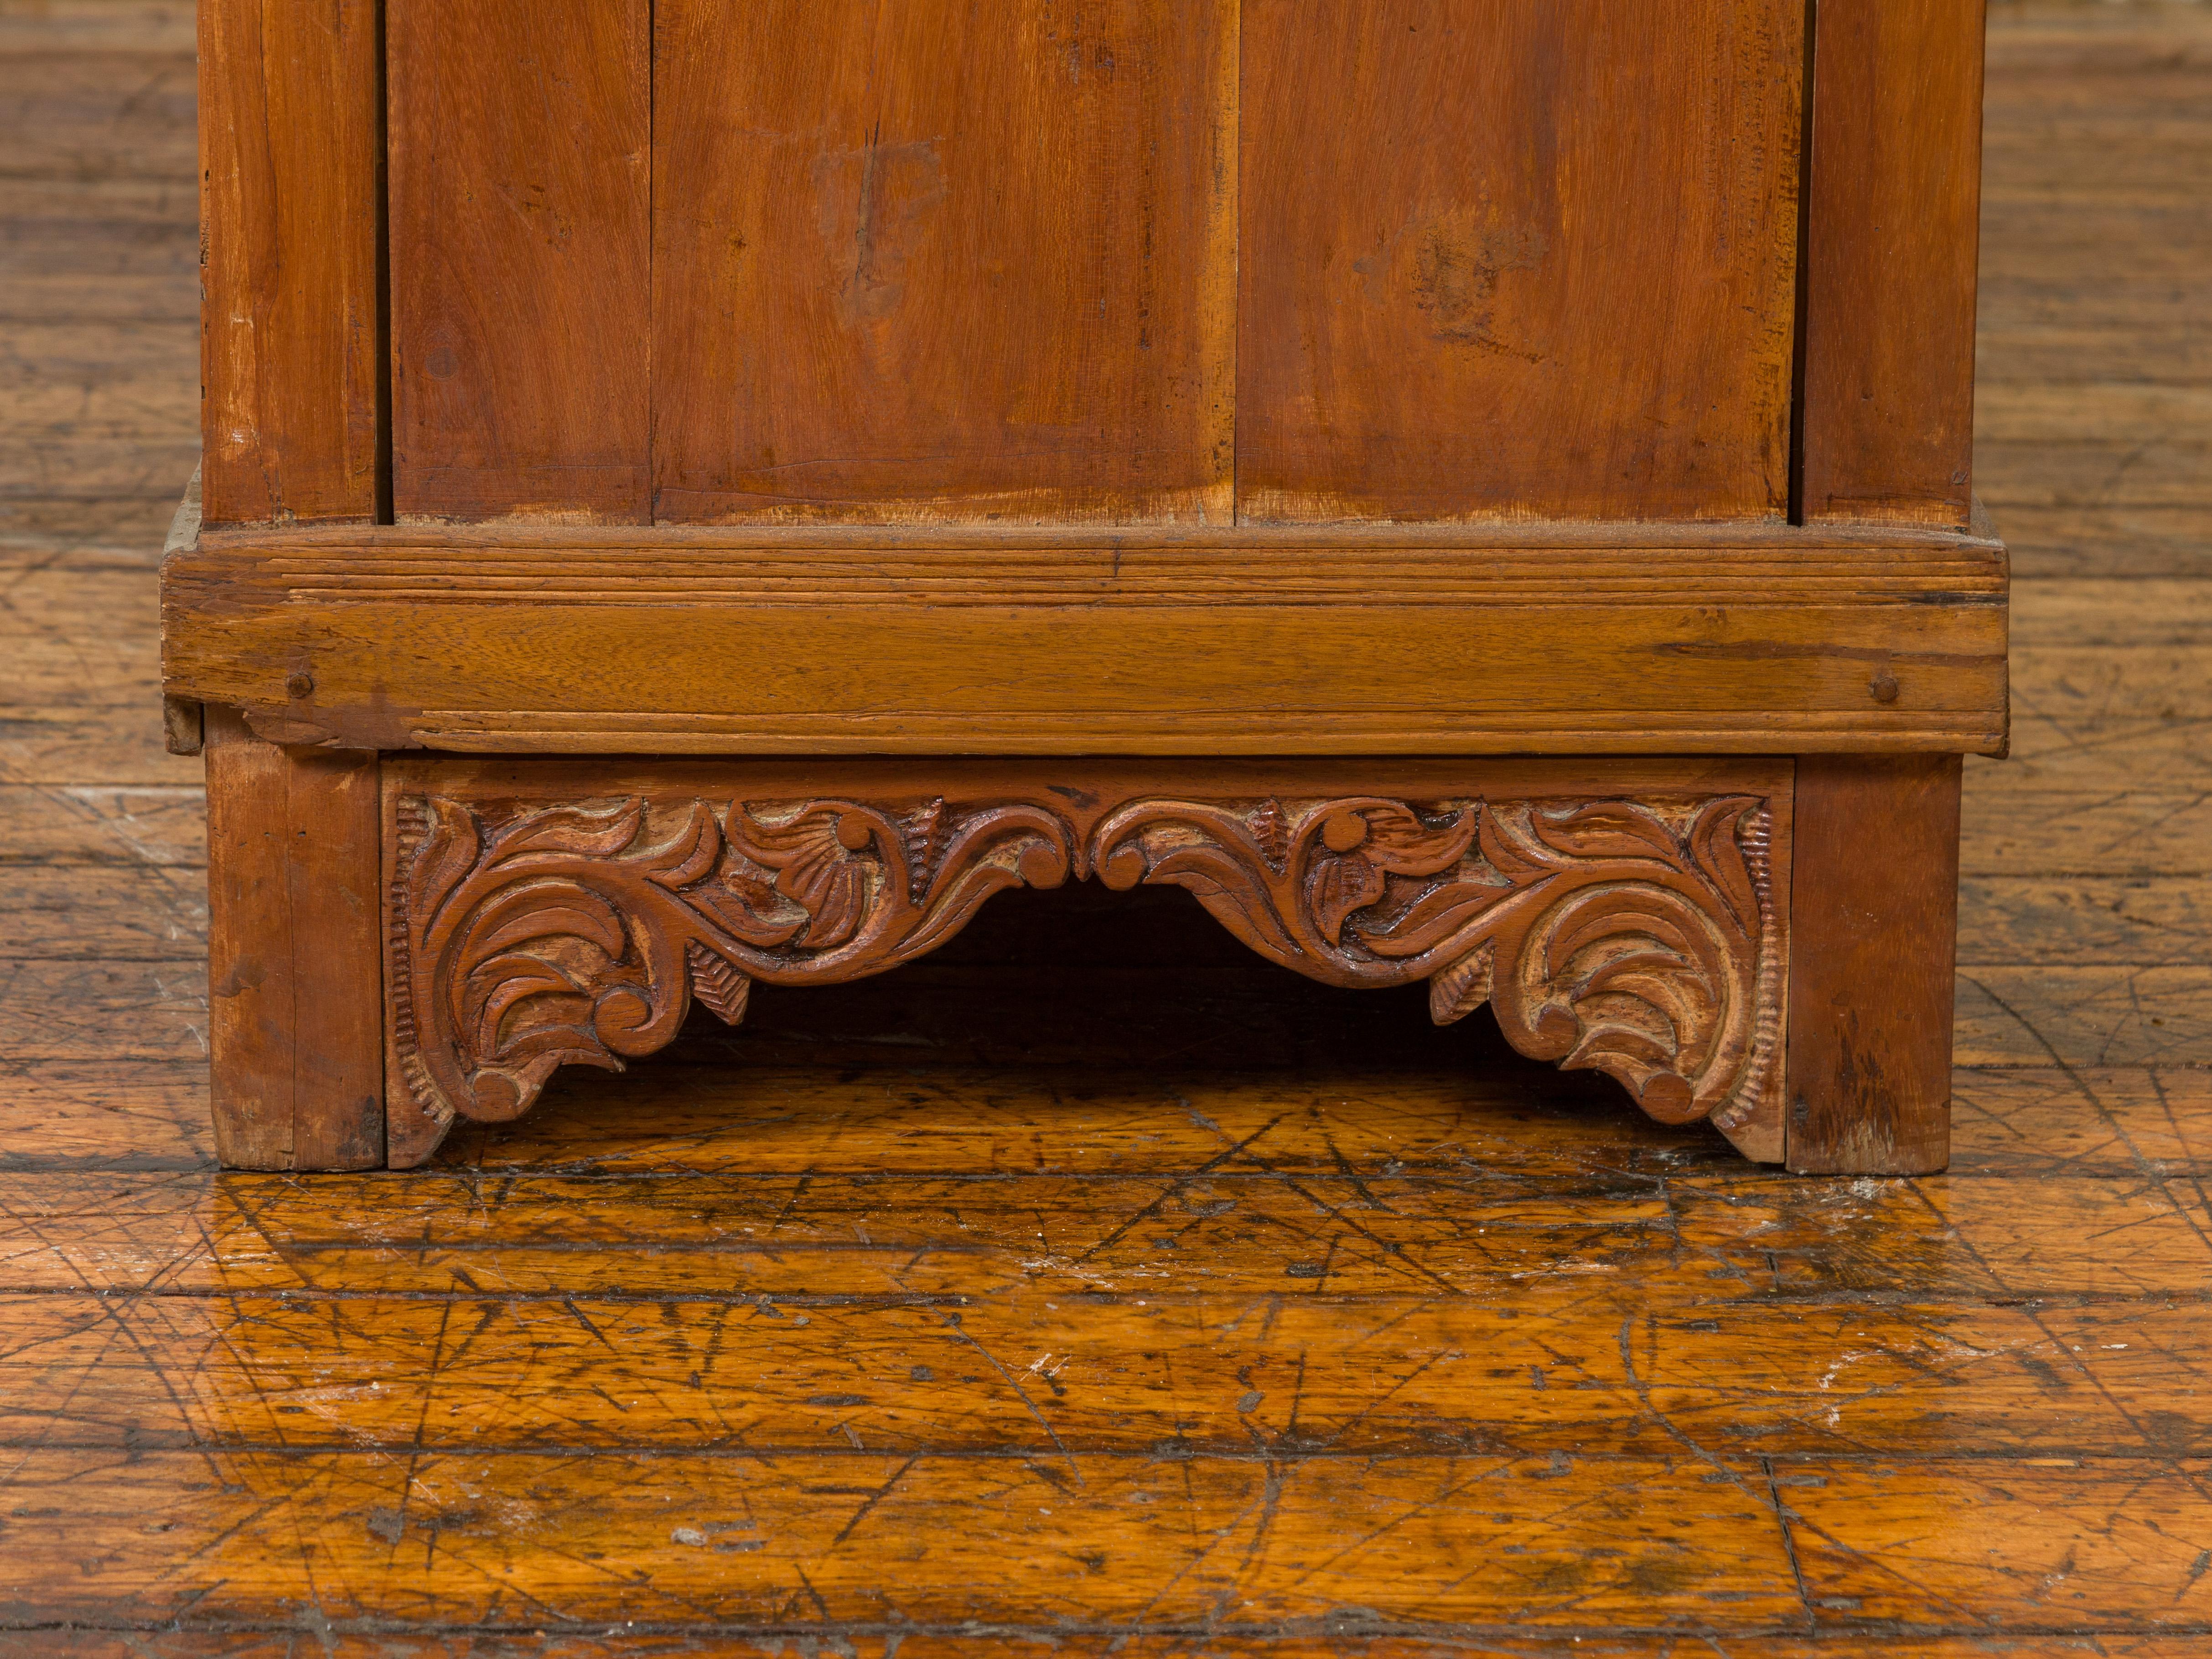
1892,240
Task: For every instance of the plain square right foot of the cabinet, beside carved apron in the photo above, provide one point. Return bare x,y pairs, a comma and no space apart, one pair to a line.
1875,932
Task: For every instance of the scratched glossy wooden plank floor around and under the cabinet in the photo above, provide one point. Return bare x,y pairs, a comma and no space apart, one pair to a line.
1224,1319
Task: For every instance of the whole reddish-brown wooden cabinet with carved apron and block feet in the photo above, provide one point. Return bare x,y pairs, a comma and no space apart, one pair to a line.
1474,490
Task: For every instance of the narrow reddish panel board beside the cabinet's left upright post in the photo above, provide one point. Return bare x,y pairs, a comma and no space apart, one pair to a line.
521,260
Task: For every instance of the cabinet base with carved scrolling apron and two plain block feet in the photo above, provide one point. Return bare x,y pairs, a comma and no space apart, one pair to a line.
1762,943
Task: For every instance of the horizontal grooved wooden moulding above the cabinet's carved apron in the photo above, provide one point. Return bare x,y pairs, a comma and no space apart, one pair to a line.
1576,640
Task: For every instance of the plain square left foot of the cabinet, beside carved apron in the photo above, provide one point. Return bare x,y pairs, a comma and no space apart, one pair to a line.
295,970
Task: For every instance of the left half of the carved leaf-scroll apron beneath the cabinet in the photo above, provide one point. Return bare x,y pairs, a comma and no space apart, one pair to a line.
556,939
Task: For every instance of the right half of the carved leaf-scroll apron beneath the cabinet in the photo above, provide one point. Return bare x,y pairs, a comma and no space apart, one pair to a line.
1616,937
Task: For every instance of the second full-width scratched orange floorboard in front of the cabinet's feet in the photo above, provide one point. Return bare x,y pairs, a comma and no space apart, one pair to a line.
1545,1373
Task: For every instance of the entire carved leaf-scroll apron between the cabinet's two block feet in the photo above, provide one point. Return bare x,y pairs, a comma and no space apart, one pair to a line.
1636,937
